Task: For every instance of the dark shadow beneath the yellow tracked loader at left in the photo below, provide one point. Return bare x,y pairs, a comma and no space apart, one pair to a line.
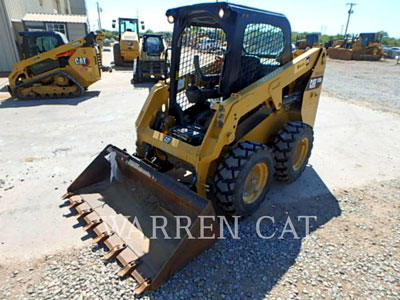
10,102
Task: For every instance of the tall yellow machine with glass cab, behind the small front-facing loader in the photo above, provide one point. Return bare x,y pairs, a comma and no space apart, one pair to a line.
127,49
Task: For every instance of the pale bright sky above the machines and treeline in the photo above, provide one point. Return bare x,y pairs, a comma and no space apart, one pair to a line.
326,16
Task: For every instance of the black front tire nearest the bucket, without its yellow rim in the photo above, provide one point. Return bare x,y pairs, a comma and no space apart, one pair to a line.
231,174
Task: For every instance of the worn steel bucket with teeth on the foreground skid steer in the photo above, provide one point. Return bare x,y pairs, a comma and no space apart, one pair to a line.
121,198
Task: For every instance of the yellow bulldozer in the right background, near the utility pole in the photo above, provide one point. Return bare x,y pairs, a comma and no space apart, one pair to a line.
366,46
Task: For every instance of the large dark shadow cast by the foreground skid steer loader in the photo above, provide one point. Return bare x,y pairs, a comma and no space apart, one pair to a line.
249,267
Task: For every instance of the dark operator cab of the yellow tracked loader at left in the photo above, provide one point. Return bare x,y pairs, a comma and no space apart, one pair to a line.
37,42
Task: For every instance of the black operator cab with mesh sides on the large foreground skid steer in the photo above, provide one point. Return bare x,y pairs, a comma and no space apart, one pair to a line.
219,49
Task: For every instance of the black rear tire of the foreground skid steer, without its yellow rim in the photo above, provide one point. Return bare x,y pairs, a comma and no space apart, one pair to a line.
284,147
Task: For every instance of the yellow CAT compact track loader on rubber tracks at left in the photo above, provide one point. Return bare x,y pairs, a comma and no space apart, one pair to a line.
54,67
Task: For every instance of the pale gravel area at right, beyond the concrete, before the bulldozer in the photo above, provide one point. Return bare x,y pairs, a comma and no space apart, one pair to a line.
375,84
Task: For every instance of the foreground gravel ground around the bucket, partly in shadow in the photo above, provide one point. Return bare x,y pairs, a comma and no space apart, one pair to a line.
353,252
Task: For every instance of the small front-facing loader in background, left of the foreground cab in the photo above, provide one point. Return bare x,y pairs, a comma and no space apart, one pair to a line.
152,61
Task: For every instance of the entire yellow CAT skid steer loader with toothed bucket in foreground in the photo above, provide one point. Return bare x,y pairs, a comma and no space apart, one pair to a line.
210,139
